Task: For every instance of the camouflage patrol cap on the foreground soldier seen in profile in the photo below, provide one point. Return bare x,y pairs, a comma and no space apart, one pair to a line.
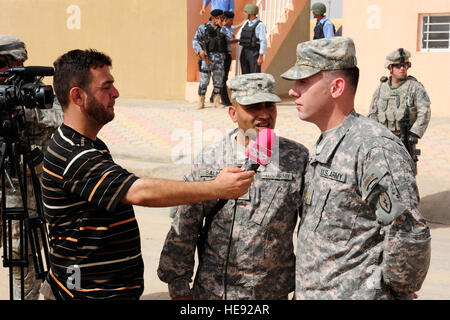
313,56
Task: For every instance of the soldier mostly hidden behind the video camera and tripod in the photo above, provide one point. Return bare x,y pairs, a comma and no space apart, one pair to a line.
39,126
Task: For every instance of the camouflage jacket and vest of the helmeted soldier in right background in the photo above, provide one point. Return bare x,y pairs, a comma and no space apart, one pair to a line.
390,101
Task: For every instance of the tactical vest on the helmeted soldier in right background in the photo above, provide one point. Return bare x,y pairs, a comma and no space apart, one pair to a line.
391,104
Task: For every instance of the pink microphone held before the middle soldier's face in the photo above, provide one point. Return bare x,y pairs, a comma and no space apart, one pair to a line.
260,151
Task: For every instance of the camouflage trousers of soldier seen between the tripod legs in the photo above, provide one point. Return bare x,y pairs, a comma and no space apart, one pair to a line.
31,284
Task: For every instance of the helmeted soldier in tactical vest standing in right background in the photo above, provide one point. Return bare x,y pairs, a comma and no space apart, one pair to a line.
401,95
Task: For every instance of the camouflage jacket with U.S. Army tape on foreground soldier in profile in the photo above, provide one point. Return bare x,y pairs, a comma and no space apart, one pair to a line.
361,234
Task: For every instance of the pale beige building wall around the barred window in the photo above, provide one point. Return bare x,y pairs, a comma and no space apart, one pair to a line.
381,26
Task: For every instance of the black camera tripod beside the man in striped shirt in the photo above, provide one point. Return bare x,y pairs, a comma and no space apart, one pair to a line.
32,229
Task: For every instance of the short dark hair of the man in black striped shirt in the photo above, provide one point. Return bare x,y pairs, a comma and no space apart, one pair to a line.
72,69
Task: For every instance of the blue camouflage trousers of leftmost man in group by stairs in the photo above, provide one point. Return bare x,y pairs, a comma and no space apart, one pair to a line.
216,68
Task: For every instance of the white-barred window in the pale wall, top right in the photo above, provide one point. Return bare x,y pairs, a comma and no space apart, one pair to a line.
435,35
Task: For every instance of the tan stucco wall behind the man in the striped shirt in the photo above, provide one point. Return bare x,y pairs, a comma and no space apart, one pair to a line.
146,39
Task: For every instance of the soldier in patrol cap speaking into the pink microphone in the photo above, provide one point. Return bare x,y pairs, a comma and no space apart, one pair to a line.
261,263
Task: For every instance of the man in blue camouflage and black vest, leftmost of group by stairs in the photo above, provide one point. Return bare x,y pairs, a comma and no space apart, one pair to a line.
210,43
